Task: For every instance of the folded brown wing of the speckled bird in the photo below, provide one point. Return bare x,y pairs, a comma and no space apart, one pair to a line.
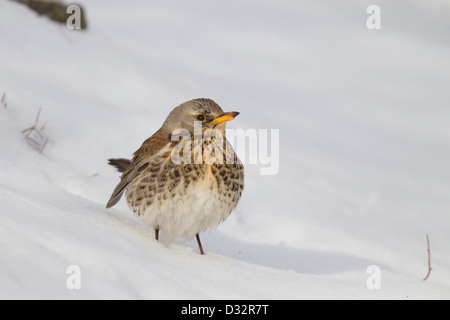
141,159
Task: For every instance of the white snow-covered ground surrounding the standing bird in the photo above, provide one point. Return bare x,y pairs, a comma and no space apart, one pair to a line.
364,148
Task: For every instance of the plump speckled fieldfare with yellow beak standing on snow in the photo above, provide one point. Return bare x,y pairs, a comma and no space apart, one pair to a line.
185,178
